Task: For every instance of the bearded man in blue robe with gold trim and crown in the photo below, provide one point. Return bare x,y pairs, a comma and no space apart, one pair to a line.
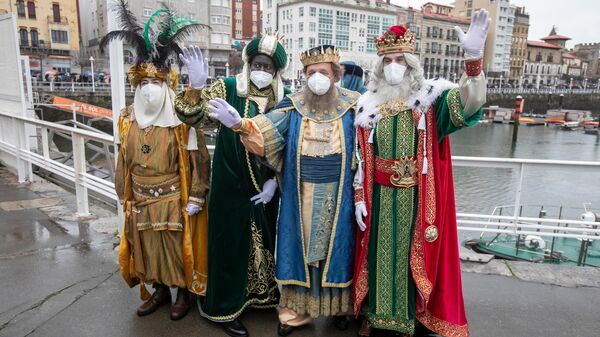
308,139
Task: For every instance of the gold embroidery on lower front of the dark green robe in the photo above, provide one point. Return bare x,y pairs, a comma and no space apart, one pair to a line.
261,266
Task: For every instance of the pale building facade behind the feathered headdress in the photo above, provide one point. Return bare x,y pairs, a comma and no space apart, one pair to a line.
215,43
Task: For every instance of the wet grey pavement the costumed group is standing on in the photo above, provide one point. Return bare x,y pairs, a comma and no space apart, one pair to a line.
59,277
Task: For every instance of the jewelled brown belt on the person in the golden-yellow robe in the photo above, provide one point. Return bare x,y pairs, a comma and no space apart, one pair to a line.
156,186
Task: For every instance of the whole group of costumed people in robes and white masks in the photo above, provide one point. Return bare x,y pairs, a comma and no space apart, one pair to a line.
334,200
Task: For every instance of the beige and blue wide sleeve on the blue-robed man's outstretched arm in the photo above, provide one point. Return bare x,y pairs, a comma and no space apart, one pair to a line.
264,135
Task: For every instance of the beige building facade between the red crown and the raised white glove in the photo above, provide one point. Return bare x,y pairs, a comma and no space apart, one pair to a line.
441,52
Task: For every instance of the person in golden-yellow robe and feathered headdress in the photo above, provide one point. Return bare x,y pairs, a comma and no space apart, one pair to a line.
162,173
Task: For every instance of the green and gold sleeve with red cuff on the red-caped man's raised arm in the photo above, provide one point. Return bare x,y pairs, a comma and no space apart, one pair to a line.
461,107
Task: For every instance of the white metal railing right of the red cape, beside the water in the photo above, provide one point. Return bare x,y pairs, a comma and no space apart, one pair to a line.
521,225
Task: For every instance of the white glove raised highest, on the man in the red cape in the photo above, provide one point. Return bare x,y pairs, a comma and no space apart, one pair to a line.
474,41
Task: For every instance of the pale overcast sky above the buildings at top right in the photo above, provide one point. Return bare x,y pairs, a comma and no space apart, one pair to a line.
577,19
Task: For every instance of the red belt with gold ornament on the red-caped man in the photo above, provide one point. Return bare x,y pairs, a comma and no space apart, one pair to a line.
398,173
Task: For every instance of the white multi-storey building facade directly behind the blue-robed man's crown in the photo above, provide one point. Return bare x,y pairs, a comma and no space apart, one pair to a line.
350,25
